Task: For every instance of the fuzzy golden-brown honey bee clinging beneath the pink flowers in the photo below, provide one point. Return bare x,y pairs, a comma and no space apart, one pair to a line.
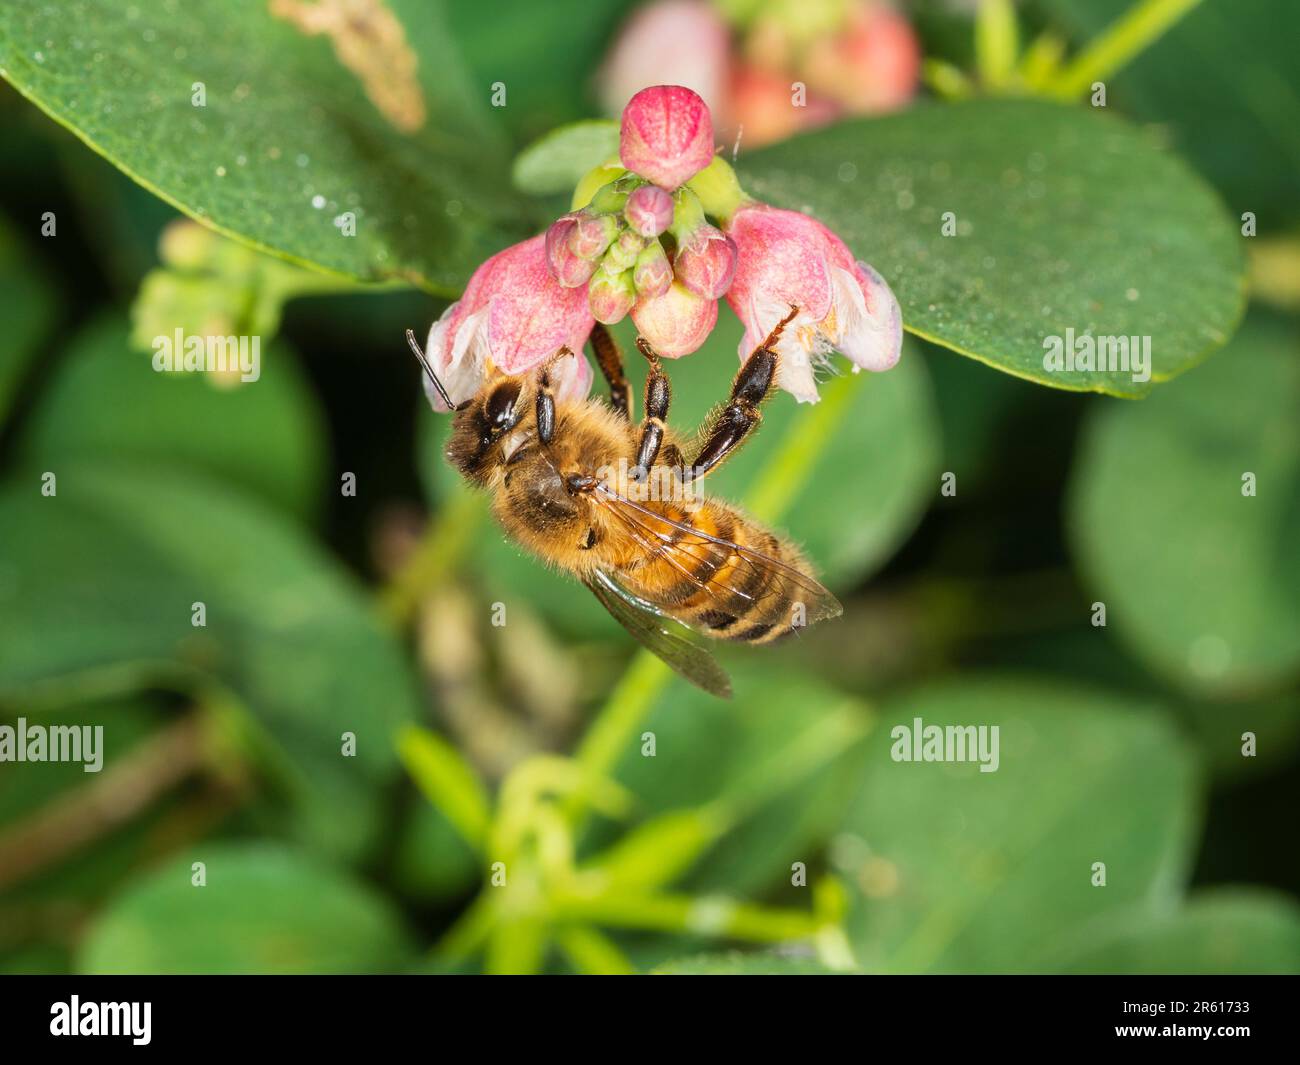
618,508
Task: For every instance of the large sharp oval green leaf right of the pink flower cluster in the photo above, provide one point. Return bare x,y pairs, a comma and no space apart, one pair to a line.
1065,220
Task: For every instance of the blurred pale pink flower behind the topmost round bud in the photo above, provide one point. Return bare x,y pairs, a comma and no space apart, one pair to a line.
674,42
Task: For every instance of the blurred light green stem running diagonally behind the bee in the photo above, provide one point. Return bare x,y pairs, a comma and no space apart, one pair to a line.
770,499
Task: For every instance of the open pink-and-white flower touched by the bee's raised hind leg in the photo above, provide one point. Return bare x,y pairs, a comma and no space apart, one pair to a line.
788,259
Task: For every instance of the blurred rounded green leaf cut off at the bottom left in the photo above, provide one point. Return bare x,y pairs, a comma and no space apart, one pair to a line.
263,910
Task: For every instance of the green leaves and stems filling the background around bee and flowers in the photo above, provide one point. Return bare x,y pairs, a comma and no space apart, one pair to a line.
348,781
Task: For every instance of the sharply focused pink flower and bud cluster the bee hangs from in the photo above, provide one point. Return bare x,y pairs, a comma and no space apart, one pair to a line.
662,235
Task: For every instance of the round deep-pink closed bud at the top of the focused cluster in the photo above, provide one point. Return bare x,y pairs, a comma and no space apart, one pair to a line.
668,136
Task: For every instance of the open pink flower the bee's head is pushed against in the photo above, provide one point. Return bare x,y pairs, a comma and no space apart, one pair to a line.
513,317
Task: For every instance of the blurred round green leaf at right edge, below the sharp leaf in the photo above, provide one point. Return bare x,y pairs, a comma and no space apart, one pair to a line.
1201,579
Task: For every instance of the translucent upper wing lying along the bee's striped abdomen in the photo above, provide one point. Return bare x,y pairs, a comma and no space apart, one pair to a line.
684,548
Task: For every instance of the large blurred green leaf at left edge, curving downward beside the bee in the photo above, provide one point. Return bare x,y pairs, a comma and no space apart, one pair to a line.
287,631
